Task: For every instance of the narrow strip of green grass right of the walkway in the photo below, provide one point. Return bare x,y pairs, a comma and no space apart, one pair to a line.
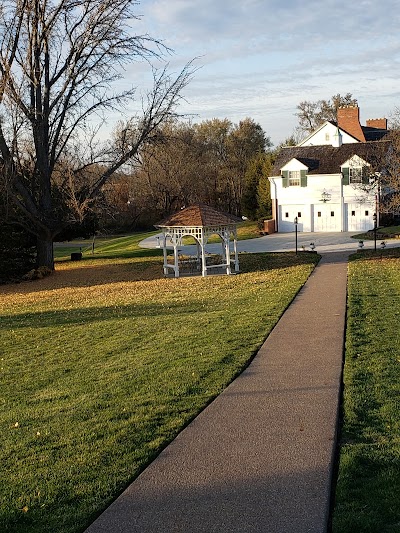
368,490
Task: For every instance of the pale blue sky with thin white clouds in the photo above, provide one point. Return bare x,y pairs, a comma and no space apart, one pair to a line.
261,58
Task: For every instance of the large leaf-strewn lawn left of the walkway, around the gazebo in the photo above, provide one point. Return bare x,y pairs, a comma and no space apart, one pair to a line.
104,362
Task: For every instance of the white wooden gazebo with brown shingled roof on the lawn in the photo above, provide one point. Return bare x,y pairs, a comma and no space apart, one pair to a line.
200,222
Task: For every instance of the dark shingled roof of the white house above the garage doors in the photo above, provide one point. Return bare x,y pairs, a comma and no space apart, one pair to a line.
325,159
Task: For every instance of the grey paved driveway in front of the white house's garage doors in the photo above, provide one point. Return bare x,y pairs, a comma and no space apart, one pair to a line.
282,242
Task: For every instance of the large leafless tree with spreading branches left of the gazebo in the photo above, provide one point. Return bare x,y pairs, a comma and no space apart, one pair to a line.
58,61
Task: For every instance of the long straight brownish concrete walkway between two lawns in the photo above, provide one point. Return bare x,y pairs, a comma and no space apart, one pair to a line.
259,458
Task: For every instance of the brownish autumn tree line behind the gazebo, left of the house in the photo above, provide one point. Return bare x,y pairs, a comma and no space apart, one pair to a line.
215,162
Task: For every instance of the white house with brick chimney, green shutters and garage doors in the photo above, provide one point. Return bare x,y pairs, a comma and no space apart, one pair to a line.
325,181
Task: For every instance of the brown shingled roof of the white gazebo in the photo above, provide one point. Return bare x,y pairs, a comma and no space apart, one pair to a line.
199,215
